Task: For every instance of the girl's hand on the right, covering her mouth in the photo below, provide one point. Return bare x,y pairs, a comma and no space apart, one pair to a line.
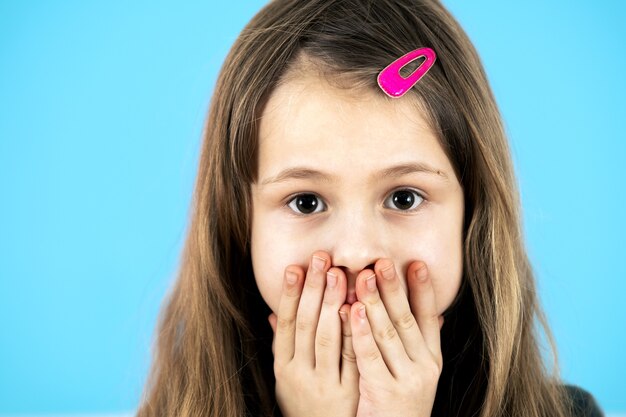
397,346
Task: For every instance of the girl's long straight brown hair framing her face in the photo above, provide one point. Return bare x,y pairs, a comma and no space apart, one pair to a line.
213,355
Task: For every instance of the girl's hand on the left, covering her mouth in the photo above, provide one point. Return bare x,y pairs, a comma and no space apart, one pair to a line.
314,364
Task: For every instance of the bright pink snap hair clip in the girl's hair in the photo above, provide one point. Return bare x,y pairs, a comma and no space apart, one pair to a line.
394,84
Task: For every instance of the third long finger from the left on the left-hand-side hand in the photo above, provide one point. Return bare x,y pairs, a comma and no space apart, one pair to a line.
328,335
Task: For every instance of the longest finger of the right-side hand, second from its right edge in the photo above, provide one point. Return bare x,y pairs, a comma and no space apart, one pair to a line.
397,304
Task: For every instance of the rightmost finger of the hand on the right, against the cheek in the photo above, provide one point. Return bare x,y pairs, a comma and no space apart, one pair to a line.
424,306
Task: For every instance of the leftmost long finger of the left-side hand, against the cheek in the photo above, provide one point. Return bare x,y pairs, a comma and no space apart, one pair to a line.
285,333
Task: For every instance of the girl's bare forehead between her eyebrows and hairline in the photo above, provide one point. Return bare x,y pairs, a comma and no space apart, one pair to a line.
307,120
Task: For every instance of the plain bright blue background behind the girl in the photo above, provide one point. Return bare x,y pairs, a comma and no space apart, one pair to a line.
101,112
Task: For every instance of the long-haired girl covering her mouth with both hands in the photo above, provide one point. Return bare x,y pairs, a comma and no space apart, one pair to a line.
379,235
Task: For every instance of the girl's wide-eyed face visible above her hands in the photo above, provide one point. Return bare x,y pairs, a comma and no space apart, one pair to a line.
361,177
